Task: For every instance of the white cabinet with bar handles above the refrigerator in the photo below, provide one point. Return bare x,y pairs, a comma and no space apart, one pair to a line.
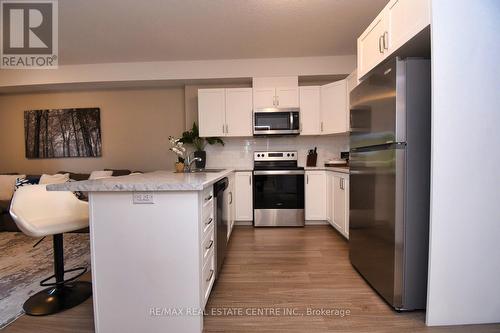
397,23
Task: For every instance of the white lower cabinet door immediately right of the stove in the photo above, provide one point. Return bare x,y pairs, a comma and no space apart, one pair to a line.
315,195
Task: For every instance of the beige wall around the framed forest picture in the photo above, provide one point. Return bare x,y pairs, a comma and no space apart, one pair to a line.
135,128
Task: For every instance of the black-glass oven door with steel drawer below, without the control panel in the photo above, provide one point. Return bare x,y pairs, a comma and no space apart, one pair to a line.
278,198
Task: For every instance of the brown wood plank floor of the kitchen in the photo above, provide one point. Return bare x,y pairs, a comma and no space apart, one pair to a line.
280,269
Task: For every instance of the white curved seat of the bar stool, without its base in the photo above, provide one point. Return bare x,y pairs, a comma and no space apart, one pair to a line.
38,212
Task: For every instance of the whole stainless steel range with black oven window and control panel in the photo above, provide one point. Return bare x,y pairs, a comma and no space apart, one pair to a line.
278,190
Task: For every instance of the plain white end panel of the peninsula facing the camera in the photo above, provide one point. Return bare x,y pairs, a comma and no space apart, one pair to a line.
145,259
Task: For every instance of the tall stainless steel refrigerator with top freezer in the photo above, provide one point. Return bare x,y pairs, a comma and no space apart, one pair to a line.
390,180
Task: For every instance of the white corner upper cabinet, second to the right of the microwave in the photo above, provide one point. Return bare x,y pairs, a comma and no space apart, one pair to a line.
334,108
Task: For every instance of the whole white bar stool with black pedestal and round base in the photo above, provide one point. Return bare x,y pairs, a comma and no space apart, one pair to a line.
40,213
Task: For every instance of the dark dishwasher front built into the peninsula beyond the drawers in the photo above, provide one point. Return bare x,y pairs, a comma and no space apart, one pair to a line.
220,223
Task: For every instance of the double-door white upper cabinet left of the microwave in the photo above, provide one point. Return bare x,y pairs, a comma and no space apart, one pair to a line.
225,112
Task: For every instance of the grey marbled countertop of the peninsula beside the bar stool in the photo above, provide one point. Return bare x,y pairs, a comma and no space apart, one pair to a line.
148,182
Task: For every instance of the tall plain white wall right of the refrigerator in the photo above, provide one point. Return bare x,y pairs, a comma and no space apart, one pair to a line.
464,267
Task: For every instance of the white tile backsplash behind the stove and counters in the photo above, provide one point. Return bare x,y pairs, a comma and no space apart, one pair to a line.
238,152
